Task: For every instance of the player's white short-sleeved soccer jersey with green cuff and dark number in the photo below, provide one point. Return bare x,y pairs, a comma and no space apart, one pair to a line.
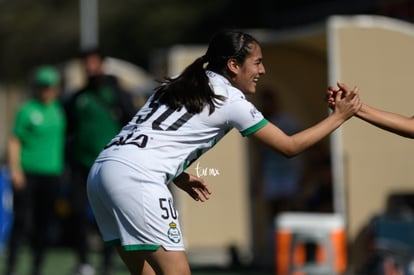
161,143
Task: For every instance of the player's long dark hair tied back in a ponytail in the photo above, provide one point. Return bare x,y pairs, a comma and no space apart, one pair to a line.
191,88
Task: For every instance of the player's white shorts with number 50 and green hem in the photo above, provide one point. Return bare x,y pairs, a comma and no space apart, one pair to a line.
137,214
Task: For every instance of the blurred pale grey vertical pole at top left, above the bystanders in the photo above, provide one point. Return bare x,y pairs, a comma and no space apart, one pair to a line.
88,24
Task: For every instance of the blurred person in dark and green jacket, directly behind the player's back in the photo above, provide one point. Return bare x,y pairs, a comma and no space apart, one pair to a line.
95,114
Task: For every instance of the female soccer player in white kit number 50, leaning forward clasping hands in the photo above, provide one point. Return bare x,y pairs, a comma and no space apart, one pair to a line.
186,116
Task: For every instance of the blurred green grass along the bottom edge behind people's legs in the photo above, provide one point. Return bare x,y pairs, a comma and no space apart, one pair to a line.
61,261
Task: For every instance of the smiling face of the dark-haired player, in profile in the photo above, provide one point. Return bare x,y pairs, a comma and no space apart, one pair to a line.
247,75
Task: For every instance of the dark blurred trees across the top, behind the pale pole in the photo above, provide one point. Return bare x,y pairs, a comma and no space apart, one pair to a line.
49,31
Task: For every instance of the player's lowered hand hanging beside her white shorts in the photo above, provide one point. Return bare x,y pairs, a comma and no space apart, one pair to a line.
194,186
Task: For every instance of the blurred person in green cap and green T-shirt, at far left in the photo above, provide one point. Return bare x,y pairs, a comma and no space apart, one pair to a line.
36,163
